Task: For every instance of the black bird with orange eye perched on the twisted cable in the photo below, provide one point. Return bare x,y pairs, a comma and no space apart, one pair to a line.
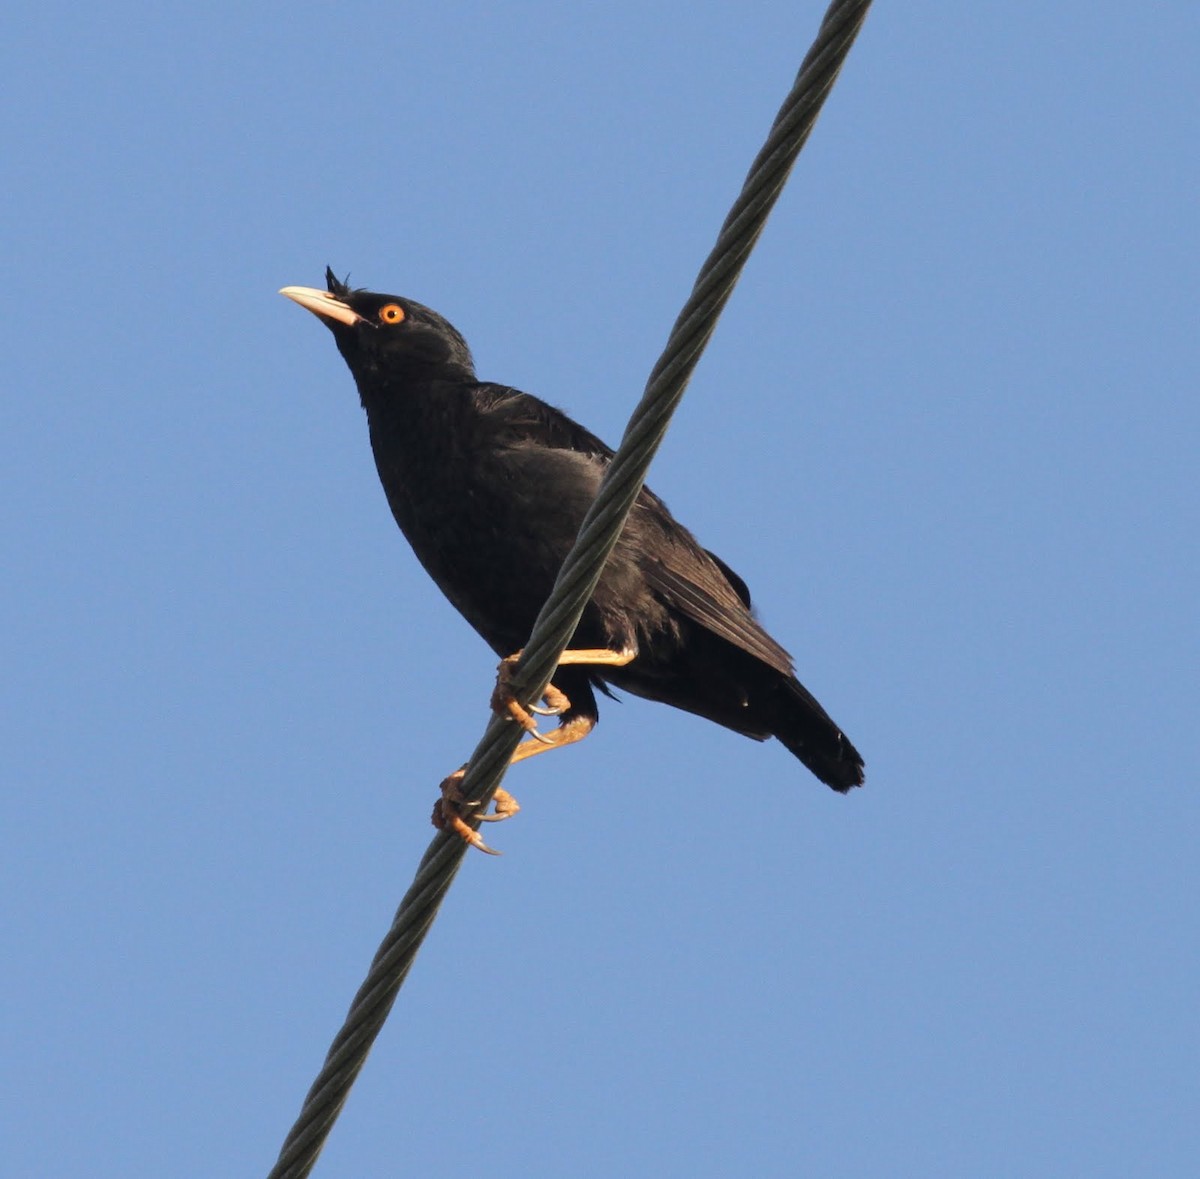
490,486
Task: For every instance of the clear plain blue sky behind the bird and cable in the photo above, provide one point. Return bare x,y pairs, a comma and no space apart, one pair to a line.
947,432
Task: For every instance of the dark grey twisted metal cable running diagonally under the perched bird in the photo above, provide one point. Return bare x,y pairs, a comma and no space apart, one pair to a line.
578,578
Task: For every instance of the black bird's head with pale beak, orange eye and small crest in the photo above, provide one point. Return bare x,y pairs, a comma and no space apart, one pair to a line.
387,339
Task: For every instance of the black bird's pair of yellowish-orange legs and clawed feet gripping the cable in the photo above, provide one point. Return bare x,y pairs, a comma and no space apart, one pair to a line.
451,812
